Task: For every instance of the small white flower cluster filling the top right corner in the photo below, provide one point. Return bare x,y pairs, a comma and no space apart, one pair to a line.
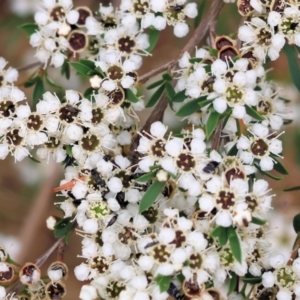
272,24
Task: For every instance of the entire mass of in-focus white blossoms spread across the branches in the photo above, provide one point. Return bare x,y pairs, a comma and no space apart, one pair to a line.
178,214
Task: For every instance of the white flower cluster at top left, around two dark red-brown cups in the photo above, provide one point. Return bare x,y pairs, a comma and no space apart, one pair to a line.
63,30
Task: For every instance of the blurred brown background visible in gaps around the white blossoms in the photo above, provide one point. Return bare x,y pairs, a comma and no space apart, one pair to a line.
25,197
